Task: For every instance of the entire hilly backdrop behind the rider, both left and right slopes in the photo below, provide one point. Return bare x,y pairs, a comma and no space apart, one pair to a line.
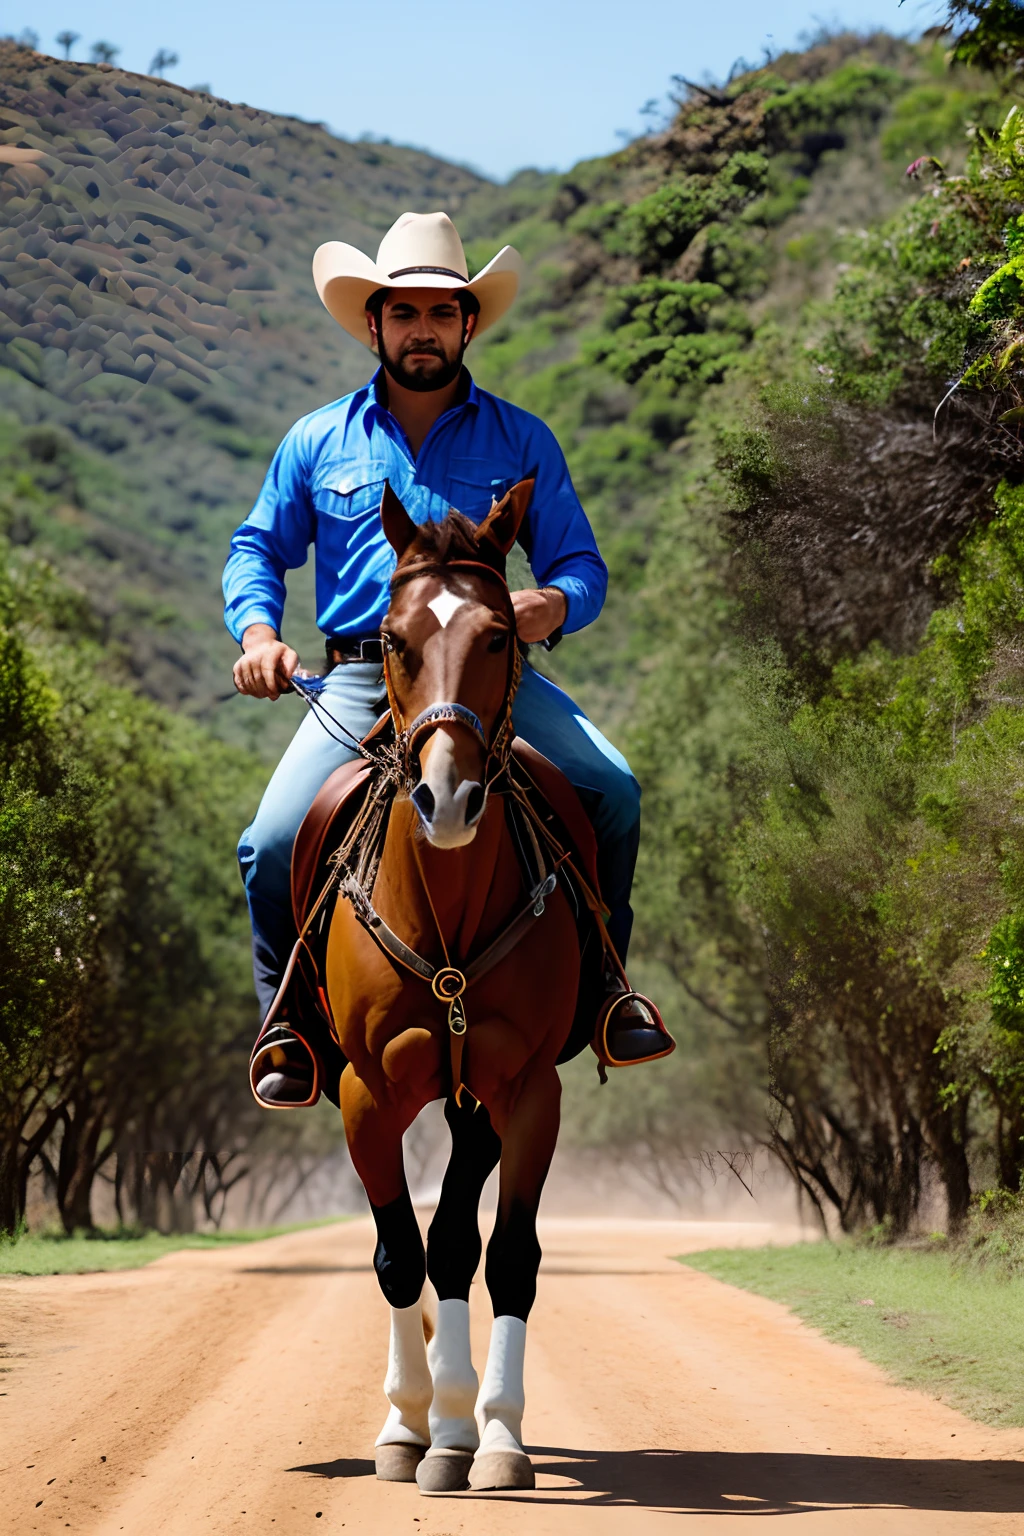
156,308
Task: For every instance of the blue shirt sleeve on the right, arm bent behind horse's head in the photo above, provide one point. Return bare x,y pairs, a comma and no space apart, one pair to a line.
560,540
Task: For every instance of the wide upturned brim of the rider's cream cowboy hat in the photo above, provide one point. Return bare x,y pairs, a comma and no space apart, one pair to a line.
346,279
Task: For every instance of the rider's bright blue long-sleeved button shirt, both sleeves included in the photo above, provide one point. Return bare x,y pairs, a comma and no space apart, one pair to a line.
325,489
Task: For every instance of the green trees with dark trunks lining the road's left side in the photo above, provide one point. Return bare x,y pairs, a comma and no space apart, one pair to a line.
124,962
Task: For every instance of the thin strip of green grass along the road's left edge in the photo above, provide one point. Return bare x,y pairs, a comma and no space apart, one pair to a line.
127,1248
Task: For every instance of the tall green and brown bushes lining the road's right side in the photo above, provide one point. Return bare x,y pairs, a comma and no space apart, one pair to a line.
873,838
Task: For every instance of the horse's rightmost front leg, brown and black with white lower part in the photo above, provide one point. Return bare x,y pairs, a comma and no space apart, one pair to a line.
514,1257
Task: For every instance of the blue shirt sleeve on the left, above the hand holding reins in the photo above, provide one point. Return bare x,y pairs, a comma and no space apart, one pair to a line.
273,541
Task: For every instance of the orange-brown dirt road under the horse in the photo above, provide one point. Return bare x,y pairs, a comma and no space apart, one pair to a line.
240,1391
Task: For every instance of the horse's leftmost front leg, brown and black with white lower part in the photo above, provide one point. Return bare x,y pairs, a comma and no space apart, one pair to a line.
375,1142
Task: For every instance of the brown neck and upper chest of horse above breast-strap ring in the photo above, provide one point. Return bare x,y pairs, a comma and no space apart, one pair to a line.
472,889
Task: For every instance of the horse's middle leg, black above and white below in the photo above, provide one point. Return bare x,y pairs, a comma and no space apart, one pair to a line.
454,1251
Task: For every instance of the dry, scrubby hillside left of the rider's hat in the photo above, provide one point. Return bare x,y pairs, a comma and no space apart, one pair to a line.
156,306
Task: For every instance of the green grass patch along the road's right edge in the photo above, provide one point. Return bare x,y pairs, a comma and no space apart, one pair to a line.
954,1332
